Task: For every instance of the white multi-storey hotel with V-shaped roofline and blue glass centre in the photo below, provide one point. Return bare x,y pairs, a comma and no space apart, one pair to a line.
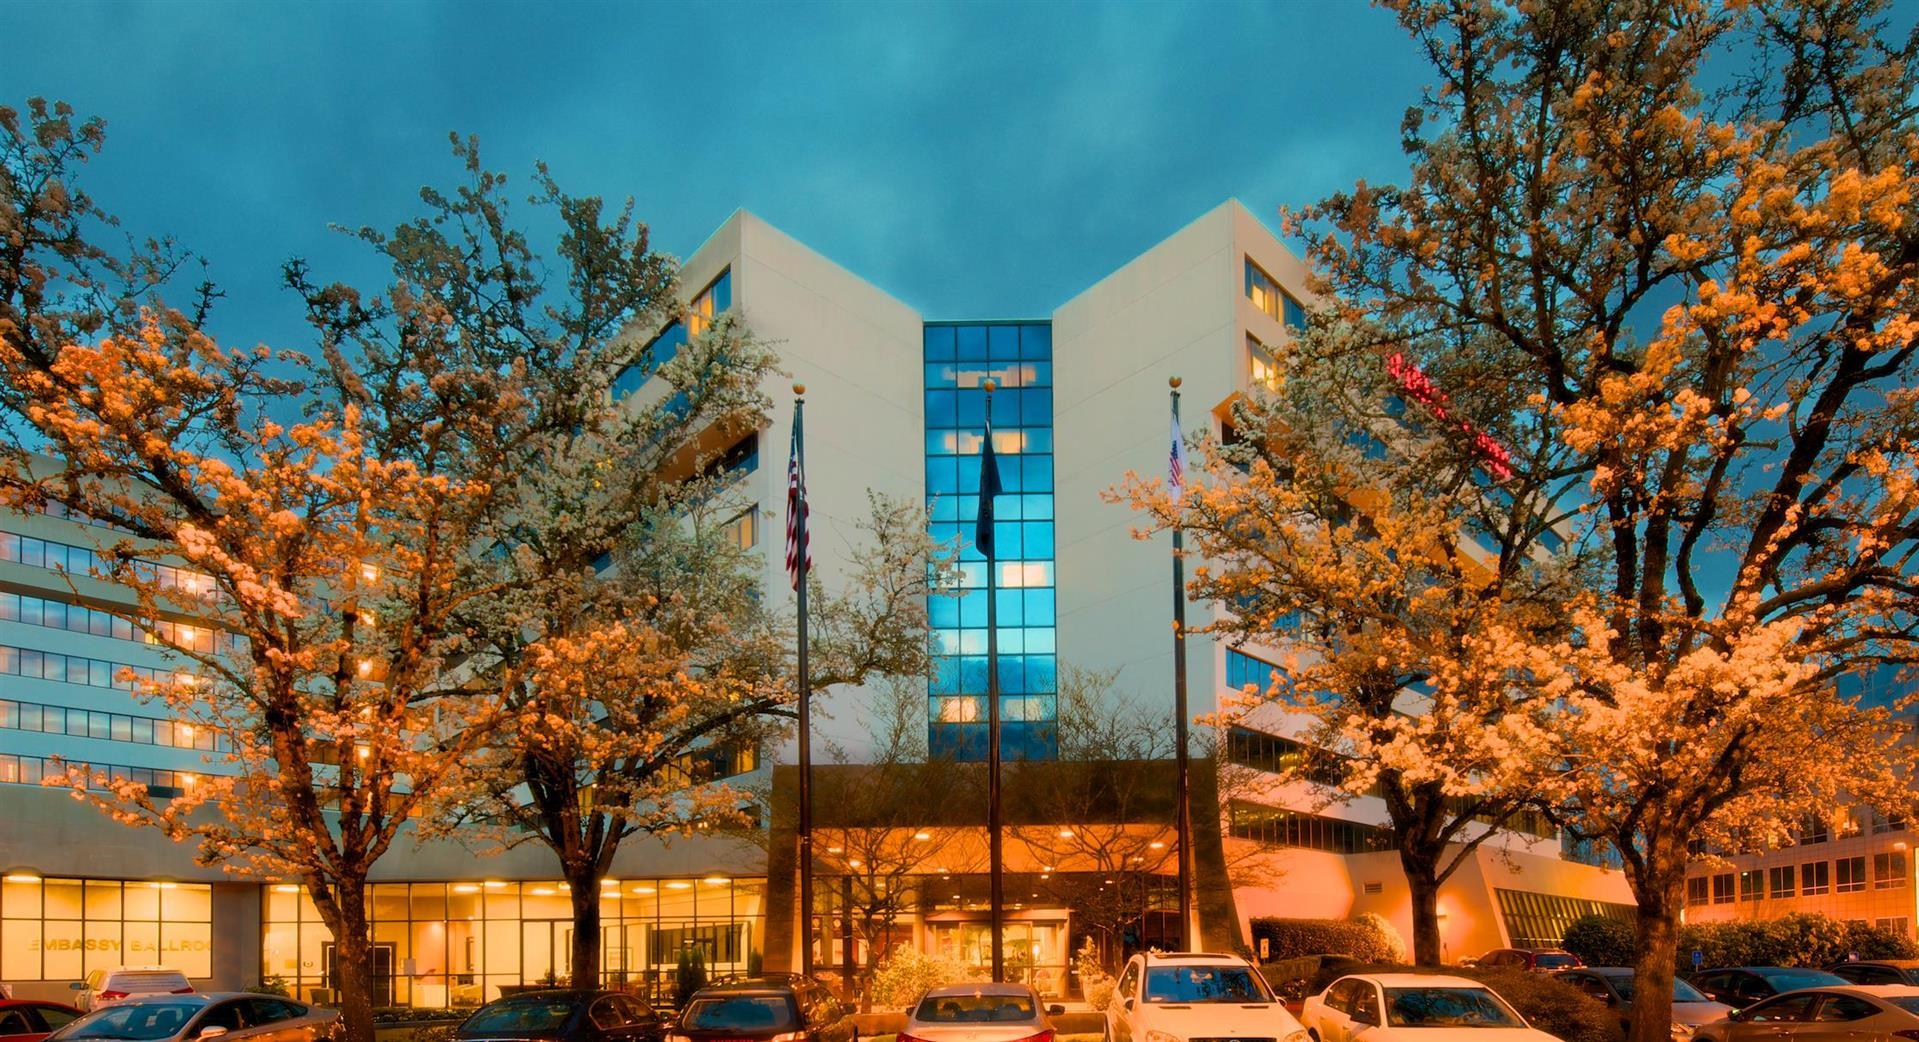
895,406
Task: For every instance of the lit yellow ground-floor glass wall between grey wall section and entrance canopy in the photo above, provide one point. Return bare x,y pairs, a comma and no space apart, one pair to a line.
450,945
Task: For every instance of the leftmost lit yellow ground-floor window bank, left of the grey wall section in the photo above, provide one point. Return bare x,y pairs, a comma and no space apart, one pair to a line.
62,930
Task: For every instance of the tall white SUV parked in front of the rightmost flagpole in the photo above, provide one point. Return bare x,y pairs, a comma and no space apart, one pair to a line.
1183,997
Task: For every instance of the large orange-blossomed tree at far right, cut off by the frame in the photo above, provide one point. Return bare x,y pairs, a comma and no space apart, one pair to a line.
1672,247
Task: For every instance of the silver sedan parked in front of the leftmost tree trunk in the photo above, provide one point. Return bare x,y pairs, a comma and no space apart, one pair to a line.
187,1018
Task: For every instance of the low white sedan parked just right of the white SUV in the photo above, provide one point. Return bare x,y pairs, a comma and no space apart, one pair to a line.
1413,1008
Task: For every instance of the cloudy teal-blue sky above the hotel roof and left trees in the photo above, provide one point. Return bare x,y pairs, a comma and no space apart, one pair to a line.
976,160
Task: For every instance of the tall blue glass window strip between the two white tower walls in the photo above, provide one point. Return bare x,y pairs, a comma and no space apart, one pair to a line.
1020,360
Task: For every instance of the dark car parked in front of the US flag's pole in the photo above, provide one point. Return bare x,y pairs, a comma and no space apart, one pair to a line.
765,1010
